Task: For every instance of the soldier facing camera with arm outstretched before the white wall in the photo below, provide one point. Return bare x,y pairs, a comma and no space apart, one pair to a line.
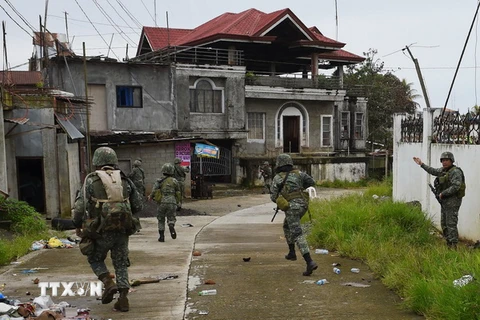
451,191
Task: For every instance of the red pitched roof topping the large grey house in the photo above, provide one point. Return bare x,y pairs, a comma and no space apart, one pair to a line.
250,24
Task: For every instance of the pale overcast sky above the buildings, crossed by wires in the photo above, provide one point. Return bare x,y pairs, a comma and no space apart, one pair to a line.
435,30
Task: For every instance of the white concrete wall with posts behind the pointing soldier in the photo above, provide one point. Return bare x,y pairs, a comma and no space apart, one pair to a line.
410,182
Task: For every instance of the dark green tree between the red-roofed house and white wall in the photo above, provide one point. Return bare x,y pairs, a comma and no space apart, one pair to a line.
386,95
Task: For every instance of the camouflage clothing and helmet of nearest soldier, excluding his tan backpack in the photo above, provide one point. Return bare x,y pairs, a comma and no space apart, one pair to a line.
89,201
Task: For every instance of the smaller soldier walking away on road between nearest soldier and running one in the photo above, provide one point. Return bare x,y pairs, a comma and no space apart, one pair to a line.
166,192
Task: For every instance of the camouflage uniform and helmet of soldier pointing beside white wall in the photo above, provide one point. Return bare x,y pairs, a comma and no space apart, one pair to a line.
450,202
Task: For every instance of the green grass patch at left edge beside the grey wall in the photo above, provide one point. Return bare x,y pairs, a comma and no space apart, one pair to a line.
27,226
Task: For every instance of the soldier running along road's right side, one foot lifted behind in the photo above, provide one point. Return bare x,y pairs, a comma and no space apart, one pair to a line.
293,190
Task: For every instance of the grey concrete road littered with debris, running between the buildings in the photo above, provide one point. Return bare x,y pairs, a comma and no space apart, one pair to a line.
266,287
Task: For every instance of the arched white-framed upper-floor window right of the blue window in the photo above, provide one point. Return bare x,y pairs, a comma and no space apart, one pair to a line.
205,97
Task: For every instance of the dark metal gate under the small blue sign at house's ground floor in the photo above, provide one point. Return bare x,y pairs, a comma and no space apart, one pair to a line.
212,166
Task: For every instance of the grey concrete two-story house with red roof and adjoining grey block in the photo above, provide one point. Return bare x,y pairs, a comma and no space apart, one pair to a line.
249,83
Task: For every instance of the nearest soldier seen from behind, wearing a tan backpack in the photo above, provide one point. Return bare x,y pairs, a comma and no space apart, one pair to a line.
103,213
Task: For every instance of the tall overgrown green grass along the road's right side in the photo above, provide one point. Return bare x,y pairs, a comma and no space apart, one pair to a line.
399,244
